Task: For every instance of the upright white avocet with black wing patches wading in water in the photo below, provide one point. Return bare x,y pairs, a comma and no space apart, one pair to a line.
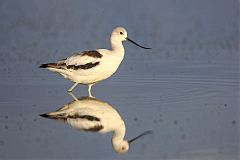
90,67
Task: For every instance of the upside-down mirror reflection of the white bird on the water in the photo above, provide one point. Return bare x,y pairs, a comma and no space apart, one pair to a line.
92,114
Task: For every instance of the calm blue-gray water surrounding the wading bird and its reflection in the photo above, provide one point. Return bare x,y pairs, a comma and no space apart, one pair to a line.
185,88
